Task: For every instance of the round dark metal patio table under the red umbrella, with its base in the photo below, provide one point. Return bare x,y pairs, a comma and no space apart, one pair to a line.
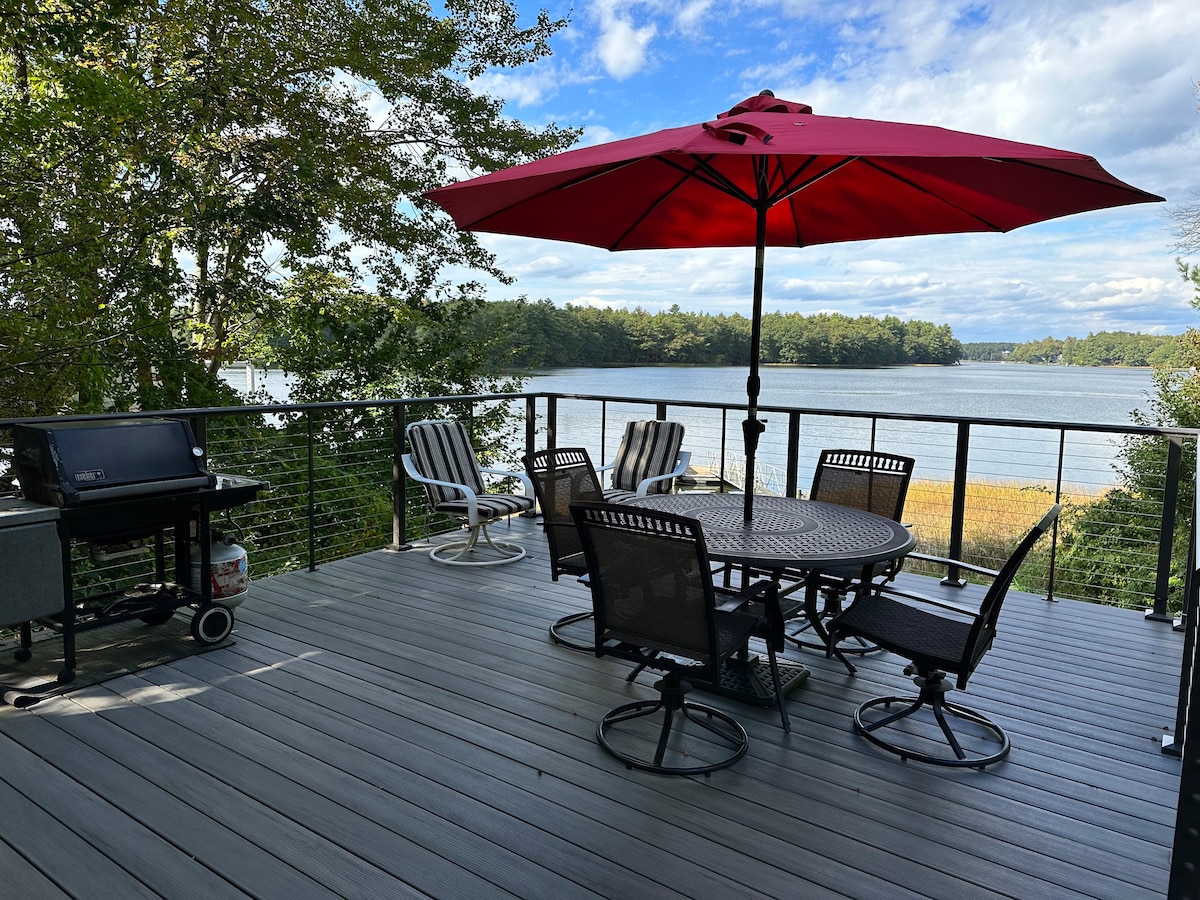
788,533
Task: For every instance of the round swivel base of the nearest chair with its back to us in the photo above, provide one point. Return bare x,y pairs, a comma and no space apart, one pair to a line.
671,701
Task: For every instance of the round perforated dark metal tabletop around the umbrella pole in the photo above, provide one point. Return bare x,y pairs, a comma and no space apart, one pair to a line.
788,532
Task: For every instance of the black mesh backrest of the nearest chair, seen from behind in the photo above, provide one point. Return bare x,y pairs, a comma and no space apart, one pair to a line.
651,583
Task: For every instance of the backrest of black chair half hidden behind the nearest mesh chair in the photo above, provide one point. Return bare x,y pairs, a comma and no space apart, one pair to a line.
561,477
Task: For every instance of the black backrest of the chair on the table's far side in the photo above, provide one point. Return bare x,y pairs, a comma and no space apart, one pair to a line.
863,479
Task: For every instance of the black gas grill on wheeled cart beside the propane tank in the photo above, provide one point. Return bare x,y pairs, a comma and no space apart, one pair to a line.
121,481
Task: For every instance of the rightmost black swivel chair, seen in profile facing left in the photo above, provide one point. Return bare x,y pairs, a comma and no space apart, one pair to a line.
941,639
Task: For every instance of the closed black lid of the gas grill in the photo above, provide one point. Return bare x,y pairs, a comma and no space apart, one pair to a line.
75,463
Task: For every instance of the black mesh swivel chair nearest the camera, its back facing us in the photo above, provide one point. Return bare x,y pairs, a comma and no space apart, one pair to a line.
656,605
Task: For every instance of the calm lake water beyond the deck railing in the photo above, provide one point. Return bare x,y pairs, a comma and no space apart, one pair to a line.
991,391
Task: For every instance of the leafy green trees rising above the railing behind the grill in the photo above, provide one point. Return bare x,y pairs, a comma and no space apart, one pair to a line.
179,177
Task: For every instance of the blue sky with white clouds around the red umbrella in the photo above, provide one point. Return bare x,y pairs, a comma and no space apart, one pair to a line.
1113,80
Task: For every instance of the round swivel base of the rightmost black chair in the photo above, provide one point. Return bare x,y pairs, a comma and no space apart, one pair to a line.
933,695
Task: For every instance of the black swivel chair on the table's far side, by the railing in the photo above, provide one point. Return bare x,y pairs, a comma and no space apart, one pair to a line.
868,481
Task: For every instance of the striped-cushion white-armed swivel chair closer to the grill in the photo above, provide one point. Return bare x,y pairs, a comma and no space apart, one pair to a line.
441,458
